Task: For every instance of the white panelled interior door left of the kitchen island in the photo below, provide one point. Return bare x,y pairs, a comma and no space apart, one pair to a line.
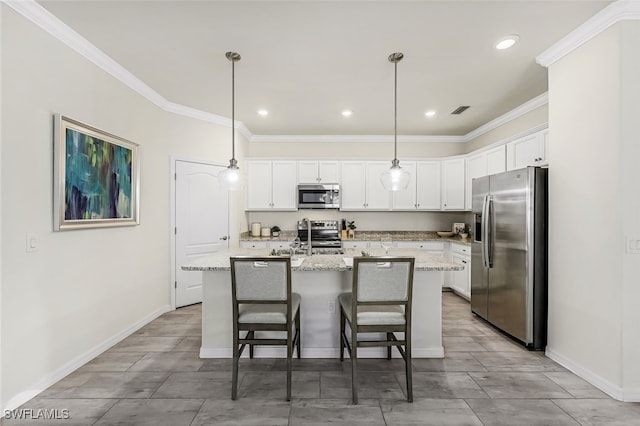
202,223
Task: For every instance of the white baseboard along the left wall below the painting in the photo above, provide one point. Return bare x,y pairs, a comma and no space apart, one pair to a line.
79,361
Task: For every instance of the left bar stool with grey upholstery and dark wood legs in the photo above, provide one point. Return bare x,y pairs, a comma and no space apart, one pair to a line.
263,301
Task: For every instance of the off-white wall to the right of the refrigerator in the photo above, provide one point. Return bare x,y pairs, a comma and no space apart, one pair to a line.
594,204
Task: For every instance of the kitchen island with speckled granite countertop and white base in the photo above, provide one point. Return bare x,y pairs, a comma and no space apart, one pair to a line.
319,279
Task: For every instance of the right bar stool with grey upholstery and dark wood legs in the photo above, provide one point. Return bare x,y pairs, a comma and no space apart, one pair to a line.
380,302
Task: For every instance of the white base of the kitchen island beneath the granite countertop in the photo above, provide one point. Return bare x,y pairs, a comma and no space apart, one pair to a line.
320,315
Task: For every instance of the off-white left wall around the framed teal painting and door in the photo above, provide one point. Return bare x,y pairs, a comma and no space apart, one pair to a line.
85,287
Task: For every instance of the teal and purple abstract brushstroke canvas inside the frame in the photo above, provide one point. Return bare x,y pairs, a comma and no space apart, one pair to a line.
98,178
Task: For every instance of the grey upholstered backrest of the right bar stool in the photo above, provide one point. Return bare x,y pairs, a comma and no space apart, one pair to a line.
383,279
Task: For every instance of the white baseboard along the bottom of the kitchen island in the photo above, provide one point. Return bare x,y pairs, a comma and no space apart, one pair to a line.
280,352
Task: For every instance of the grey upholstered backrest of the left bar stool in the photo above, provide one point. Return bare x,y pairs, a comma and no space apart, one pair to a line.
261,279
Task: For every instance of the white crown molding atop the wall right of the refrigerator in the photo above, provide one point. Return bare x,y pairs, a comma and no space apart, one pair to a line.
615,12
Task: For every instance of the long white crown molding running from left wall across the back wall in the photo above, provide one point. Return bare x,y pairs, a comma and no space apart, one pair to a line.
41,17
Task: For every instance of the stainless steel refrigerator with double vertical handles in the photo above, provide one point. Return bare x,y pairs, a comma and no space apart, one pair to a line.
509,253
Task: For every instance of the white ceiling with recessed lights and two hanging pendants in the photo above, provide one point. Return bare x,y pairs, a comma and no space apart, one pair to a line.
307,61
